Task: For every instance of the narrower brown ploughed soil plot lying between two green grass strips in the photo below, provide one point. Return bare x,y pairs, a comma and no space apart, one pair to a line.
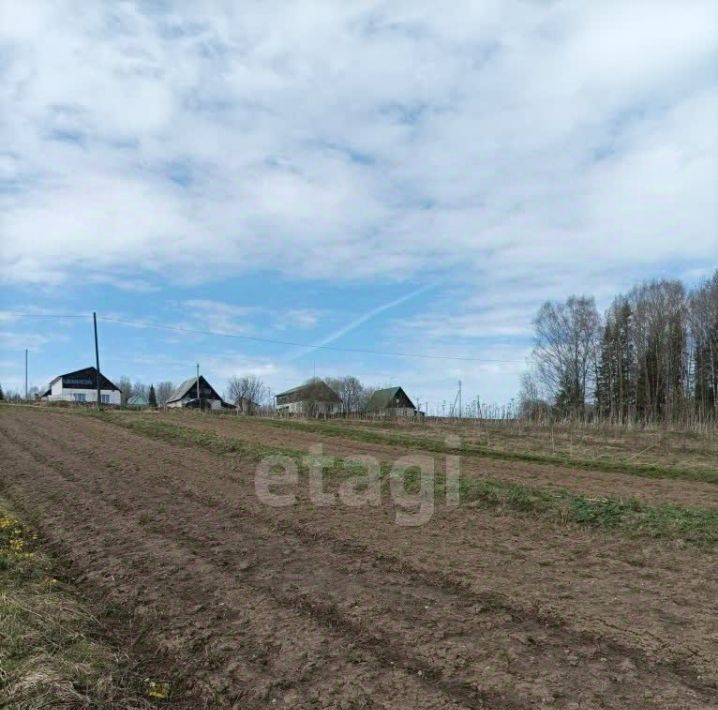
593,483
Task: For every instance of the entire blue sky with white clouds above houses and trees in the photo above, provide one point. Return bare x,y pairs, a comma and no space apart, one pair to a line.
407,179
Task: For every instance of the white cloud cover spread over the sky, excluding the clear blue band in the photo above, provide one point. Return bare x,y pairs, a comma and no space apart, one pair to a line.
542,147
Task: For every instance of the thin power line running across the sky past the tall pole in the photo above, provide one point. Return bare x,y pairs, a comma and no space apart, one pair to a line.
257,339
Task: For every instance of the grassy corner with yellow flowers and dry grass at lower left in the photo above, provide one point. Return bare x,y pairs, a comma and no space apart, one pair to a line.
50,652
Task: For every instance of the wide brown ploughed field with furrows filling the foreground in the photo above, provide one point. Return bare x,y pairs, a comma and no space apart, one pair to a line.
337,607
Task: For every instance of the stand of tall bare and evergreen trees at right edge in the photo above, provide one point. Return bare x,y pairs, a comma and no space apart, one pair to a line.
651,357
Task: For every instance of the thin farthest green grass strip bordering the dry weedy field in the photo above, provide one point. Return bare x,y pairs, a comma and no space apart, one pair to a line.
438,446
